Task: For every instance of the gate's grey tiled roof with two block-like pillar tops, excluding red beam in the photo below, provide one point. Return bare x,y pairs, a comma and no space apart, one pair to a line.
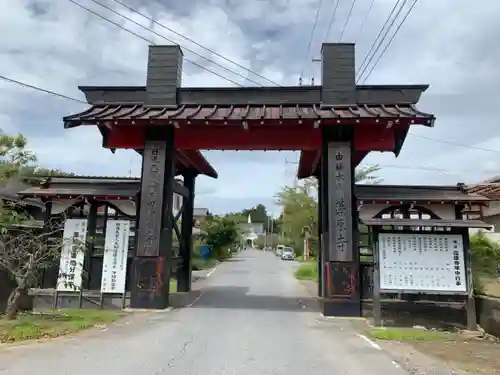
163,98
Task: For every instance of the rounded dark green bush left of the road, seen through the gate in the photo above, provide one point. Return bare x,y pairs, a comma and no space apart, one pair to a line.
221,233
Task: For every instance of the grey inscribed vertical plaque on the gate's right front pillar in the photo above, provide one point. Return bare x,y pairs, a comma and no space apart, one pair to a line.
340,202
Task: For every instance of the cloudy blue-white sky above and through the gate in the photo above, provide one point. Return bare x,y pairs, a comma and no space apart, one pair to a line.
449,44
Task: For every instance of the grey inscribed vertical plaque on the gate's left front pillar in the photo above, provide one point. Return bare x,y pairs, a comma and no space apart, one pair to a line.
150,217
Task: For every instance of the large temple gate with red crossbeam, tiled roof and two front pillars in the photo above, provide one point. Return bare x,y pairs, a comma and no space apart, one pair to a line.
334,125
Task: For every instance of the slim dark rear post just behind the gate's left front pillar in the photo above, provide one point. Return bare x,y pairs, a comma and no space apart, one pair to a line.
185,269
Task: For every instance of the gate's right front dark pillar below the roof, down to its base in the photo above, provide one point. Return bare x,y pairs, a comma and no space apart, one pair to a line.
339,245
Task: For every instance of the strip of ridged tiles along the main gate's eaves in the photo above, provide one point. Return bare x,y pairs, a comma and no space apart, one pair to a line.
250,112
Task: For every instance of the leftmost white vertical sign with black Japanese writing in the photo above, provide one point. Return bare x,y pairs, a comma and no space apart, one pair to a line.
72,255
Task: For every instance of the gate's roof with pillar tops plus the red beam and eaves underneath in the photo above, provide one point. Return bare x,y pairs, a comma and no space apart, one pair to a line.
383,113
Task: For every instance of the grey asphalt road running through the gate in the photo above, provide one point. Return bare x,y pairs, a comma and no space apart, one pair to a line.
253,318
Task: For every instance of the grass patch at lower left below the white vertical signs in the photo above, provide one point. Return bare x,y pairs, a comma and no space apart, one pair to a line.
53,323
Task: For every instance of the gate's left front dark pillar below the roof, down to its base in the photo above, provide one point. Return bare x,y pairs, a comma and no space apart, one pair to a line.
153,258
